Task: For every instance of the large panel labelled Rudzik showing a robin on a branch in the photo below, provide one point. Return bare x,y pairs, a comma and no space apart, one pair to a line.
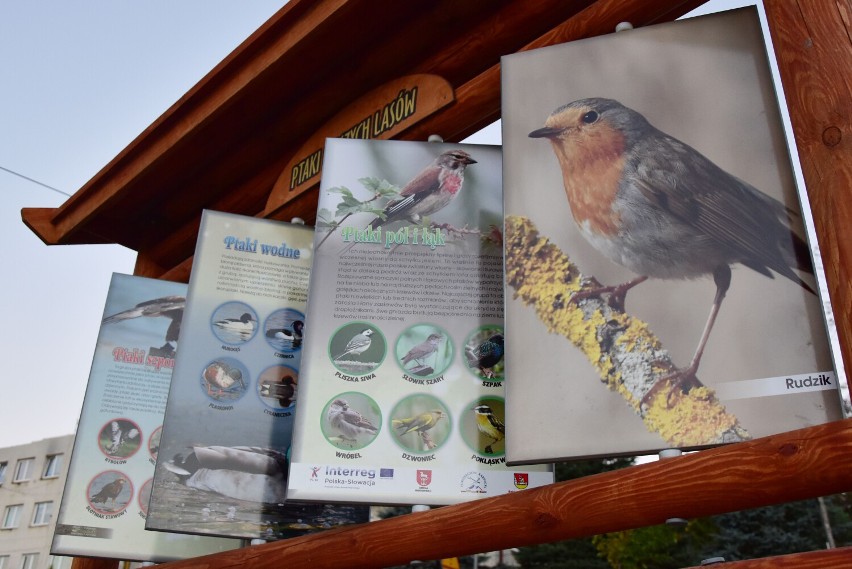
661,288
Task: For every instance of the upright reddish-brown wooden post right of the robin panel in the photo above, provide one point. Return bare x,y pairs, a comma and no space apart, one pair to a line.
814,51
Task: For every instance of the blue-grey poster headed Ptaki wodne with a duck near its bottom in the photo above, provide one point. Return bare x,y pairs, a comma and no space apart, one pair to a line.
222,465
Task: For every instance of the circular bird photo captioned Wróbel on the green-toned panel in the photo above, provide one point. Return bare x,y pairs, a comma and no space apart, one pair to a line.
351,420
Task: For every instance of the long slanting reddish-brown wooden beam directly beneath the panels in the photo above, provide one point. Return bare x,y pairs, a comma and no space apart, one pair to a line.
793,466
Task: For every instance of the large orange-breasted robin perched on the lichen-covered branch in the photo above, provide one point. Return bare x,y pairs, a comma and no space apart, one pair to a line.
656,206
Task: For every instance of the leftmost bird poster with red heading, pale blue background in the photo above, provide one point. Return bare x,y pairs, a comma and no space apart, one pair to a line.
105,502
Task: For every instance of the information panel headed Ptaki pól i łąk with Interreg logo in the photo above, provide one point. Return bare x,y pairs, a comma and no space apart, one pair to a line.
402,401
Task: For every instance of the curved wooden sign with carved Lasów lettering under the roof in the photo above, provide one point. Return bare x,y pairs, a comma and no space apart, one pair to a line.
381,113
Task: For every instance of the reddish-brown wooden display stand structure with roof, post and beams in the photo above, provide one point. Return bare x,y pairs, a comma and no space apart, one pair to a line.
244,141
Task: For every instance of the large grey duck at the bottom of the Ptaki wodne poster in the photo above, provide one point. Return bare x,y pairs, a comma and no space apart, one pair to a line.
254,474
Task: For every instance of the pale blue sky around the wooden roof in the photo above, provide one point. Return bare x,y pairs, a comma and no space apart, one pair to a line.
80,80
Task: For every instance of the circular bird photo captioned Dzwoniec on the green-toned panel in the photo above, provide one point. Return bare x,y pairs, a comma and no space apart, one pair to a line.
420,423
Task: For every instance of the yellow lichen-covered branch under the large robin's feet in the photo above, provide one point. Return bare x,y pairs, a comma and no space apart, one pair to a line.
626,355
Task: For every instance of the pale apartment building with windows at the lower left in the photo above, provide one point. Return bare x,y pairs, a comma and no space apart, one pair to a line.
32,477
